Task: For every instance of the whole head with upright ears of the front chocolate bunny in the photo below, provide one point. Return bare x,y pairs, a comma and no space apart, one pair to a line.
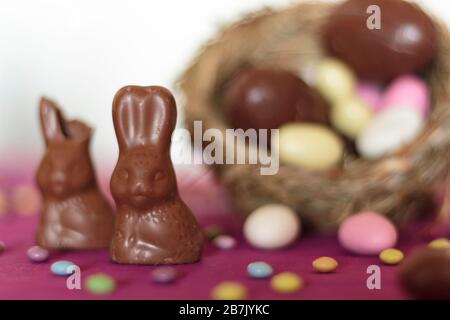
144,118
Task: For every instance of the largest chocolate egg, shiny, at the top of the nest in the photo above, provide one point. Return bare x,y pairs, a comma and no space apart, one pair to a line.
404,43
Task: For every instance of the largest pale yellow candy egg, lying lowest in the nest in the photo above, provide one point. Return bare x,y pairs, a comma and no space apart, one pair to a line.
309,146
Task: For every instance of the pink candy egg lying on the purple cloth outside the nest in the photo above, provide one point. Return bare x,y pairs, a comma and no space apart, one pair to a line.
367,233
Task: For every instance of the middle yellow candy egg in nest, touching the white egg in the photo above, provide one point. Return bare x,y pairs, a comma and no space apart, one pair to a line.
351,116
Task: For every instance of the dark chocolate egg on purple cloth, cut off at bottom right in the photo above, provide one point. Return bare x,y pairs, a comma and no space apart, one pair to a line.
426,274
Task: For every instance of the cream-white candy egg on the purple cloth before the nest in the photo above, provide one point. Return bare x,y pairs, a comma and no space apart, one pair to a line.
272,226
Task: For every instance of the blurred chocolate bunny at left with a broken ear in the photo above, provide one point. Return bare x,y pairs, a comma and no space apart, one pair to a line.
75,215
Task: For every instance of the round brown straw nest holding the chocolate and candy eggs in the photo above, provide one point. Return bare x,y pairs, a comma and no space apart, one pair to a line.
399,186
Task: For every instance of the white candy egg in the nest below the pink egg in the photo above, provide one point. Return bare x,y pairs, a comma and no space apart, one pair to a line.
389,130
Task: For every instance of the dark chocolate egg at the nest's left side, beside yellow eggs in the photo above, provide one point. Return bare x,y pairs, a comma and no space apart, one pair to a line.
268,98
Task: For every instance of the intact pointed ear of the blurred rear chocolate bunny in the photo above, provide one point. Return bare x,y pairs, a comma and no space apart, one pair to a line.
52,121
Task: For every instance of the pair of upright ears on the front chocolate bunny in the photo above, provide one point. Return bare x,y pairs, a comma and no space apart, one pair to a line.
144,116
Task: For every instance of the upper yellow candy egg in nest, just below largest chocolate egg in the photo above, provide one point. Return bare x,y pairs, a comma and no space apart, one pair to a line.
335,80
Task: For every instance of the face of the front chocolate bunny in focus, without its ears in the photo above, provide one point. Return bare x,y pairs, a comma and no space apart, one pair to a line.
143,177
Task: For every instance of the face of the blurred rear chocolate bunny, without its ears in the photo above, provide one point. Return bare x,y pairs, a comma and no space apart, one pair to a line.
65,171
